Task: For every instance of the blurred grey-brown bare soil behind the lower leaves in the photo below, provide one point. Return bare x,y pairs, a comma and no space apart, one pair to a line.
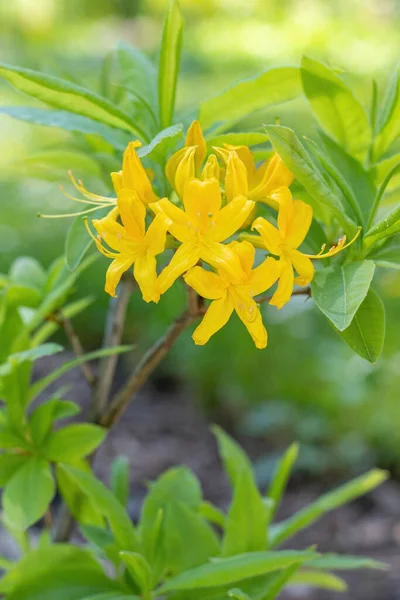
165,427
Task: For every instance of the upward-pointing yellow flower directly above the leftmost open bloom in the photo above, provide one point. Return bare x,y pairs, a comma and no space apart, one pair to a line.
133,176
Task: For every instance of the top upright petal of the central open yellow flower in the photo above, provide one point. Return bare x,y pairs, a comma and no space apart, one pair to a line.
202,201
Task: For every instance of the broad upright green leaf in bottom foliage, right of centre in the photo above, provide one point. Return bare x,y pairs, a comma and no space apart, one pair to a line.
246,522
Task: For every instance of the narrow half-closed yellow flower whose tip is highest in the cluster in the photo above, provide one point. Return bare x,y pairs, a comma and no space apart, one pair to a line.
186,163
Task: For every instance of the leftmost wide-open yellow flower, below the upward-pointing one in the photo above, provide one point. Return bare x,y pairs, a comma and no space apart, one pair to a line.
132,244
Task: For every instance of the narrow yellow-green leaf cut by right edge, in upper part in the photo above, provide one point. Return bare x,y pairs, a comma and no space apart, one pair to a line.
389,121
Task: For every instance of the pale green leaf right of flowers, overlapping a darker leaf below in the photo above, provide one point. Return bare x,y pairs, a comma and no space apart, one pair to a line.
339,291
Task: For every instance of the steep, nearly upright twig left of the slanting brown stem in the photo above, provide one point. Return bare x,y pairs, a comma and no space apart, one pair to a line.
112,337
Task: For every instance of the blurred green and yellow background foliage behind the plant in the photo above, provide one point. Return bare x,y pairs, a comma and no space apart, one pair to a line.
307,385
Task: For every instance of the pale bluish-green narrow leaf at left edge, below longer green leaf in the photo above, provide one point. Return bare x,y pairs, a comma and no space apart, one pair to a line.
68,121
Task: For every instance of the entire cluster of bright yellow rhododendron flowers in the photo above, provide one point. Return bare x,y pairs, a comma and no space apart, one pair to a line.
214,199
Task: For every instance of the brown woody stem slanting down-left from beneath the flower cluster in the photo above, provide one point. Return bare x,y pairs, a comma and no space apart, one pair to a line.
145,367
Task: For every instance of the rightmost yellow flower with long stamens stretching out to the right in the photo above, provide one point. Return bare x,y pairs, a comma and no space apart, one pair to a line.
294,221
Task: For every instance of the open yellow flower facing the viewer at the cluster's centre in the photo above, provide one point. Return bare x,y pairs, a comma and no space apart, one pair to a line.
201,228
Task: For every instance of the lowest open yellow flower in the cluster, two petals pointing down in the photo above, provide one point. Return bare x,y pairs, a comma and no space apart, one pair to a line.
228,295
